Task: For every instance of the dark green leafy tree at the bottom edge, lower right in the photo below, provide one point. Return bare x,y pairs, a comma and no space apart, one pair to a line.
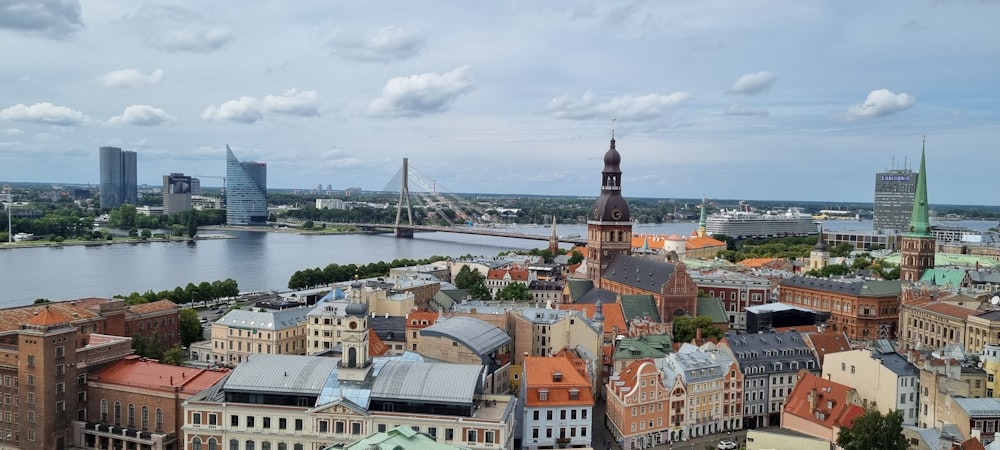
873,430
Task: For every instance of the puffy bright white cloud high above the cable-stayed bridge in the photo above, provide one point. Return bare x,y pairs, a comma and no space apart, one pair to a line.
422,94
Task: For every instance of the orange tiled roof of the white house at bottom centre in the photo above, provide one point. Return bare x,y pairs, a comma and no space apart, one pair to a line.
540,374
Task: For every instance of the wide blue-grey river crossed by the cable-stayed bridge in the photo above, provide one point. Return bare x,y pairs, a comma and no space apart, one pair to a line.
256,260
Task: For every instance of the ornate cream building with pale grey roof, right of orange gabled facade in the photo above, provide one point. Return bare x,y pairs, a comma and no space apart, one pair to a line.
711,384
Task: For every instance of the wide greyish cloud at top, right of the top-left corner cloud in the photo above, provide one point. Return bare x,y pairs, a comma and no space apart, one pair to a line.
178,29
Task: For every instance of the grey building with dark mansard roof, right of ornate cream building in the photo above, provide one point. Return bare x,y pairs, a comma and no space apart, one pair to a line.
770,363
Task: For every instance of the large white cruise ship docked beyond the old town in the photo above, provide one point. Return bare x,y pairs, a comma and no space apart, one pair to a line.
745,222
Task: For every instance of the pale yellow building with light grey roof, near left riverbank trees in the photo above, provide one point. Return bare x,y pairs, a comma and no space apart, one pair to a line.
242,333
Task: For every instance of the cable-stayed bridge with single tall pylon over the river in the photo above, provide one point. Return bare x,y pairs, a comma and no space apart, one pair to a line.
460,215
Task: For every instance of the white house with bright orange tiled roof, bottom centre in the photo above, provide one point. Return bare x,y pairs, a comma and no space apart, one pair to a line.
558,404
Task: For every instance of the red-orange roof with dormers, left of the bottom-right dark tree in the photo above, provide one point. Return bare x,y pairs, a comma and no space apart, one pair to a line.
831,399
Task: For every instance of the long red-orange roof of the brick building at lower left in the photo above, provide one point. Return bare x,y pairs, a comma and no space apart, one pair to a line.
148,373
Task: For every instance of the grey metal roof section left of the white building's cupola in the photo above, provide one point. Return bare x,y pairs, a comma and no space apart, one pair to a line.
290,374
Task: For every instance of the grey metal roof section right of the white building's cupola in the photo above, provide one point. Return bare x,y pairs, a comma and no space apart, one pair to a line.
423,381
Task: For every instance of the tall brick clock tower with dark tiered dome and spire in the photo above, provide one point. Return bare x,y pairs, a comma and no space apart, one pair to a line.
609,230
